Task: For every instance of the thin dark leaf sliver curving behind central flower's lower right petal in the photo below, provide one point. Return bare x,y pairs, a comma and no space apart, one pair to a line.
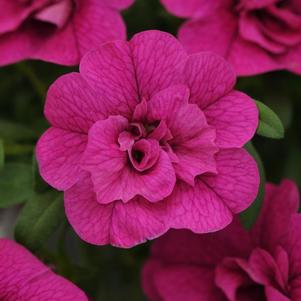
248,217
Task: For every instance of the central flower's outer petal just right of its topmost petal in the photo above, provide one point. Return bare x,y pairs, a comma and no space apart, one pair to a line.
209,77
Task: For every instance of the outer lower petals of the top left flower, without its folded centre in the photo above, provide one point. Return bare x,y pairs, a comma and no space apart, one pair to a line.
91,25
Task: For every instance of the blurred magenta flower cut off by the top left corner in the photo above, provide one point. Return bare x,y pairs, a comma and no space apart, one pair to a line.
58,31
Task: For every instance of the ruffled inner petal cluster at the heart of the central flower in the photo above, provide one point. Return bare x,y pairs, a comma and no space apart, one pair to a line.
164,140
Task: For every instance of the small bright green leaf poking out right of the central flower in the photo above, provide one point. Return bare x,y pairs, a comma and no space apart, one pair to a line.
270,124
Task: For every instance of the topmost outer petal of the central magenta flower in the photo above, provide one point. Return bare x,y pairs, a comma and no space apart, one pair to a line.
159,69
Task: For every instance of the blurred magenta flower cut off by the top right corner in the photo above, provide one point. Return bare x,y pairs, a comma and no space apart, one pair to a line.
254,36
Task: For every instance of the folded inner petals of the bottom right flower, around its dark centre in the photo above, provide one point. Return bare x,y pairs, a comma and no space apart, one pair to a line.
263,276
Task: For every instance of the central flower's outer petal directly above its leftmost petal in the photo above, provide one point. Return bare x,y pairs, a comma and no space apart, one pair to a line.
72,104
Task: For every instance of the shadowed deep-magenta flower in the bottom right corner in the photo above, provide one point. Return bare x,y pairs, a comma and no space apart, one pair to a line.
233,264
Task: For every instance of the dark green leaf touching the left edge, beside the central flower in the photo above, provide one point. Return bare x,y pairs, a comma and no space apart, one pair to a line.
15,184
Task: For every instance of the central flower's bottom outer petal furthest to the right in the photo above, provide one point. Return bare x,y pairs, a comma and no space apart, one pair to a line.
197,208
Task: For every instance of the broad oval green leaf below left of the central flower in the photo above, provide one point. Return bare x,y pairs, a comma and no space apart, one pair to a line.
39,218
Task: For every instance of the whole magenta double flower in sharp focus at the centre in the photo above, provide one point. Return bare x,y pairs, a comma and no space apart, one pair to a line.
146,138
